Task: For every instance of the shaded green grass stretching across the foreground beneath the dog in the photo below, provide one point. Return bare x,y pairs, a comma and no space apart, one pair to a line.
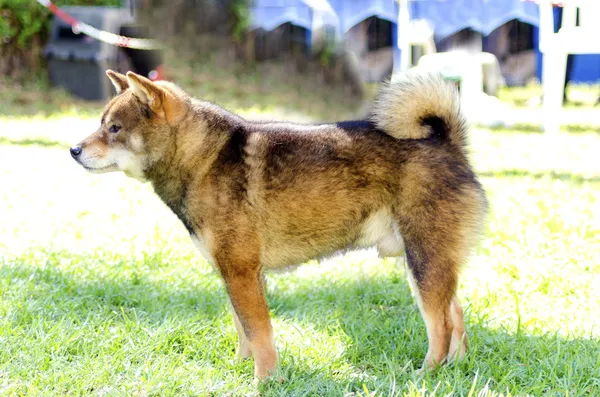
383,337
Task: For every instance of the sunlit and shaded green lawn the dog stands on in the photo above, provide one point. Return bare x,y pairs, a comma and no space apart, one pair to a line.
103,294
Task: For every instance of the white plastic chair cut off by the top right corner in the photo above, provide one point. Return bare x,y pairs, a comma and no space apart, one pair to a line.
570,39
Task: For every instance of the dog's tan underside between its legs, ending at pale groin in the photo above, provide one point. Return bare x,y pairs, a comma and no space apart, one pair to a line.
378,230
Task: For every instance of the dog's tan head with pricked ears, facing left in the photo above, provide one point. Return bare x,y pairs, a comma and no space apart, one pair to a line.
136,127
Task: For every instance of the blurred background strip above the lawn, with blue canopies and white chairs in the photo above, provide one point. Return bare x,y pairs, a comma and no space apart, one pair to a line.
282,54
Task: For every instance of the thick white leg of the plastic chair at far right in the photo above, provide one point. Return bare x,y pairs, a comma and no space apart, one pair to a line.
554,67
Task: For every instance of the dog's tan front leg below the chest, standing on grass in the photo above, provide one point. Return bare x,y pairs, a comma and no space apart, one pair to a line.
246,290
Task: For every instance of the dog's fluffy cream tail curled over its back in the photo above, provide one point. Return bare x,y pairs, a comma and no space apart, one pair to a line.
418,106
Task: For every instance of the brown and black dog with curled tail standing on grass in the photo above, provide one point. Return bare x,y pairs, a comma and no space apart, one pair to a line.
256,196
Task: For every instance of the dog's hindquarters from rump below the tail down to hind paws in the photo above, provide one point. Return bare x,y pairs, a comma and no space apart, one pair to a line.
439,213
